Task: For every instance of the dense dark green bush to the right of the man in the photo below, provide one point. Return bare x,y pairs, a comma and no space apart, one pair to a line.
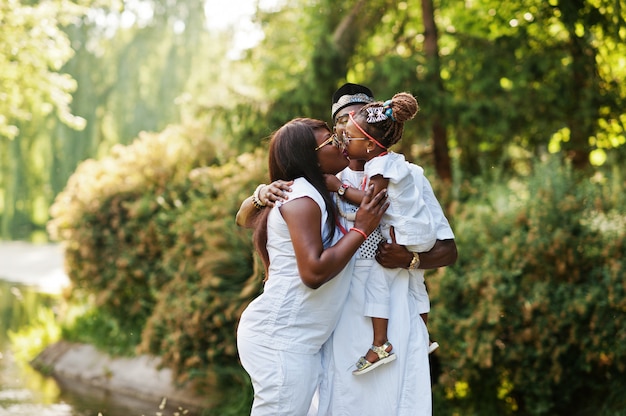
533,310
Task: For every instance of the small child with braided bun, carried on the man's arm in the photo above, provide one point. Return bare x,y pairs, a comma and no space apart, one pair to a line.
368,135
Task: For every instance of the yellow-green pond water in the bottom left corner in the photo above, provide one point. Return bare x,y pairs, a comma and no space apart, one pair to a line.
26,392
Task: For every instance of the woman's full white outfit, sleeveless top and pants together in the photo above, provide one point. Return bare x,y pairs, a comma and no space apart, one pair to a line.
281,332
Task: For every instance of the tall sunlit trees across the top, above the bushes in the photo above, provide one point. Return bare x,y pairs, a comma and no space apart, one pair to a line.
539,75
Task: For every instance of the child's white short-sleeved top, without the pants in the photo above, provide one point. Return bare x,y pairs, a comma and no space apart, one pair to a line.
408,213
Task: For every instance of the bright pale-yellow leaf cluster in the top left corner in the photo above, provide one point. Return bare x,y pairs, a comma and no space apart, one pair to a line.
32,51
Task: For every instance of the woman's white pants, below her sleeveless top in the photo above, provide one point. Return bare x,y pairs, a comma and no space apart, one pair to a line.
283,382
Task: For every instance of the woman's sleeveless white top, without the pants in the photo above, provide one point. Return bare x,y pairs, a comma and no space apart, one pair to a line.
288,315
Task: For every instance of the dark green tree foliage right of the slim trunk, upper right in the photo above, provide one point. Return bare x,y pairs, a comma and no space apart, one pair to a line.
533,75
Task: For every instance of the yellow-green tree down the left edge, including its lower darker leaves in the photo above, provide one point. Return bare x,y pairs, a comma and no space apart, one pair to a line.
33,48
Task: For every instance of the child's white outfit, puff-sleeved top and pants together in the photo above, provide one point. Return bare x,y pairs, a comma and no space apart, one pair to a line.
413,224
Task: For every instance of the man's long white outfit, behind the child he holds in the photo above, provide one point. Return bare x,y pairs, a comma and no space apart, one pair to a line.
403,386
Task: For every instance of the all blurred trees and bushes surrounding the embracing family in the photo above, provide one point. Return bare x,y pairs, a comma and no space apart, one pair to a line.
131,130
